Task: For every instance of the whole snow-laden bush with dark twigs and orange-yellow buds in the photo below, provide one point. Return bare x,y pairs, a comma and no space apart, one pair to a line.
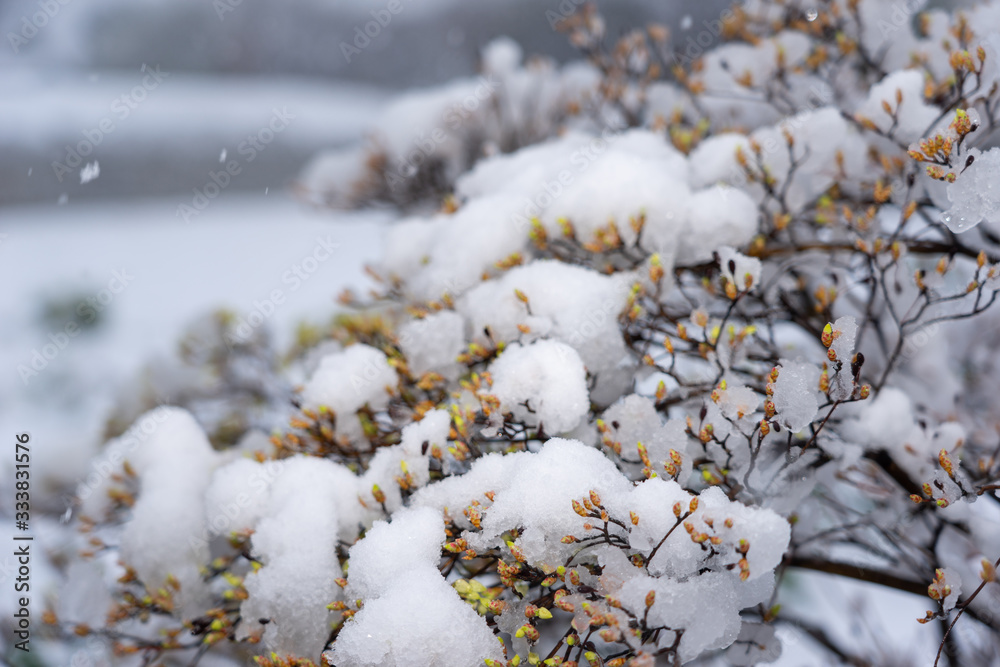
682,325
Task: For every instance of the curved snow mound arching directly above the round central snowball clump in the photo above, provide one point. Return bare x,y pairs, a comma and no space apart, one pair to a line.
568,303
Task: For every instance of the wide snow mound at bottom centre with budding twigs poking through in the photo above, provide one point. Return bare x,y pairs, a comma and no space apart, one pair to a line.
694,591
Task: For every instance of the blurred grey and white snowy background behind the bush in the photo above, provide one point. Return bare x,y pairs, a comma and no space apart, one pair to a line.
167,92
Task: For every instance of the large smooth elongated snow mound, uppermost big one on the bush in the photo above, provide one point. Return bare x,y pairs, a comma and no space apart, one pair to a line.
593,180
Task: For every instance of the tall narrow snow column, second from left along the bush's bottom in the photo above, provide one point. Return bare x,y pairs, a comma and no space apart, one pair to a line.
296,541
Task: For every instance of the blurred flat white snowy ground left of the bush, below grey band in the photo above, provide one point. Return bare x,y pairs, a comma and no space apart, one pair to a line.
148,274
